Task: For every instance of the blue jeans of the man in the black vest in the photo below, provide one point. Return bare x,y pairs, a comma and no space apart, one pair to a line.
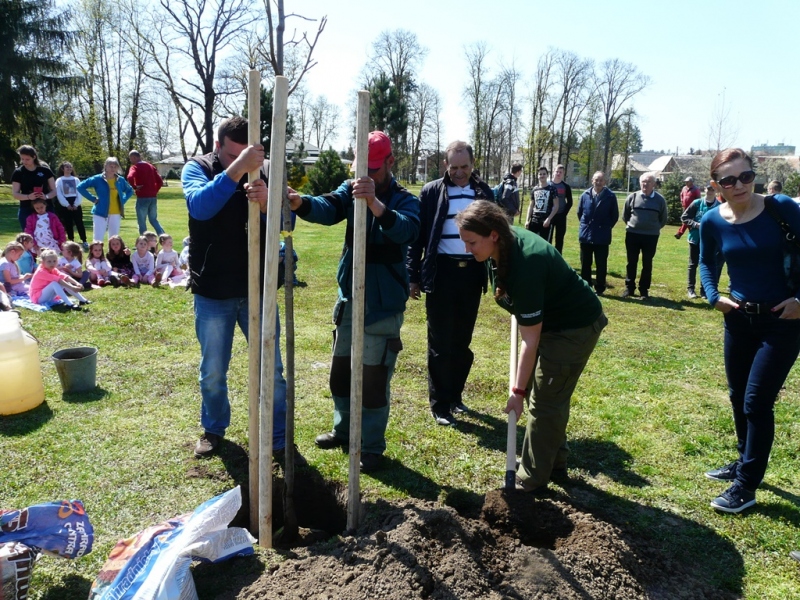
215,322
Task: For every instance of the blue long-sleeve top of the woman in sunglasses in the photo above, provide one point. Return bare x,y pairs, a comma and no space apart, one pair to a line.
753,252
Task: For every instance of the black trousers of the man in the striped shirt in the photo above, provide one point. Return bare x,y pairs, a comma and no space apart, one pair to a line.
452,309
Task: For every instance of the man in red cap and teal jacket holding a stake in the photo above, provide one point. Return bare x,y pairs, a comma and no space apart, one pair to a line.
392,224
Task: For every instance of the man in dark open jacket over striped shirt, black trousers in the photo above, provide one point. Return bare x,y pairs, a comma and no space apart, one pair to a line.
439,265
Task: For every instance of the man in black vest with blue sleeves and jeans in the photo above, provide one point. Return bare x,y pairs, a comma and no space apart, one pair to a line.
217,198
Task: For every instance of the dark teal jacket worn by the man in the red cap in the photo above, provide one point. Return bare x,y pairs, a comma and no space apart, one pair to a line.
388,238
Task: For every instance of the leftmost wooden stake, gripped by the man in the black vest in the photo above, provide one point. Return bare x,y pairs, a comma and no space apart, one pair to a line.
253,296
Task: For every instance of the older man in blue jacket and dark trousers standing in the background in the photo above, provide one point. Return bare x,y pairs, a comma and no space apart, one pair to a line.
598,213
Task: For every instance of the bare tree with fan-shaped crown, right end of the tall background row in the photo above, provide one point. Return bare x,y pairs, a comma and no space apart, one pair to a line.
616,84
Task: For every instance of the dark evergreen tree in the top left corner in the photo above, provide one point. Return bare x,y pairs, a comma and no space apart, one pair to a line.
33,43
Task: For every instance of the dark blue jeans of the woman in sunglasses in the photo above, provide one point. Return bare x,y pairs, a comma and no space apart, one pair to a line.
759,353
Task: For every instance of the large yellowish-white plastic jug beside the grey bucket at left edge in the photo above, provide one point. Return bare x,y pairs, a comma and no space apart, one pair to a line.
21,386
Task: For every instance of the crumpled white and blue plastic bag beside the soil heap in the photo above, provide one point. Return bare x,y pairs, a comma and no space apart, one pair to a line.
154,564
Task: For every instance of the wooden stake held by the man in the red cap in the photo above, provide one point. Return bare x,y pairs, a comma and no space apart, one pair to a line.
357,348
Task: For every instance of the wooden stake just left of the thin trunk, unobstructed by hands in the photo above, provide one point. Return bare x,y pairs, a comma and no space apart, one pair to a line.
269,341
